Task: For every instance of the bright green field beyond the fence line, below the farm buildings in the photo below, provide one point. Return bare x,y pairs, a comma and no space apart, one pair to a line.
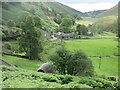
94,47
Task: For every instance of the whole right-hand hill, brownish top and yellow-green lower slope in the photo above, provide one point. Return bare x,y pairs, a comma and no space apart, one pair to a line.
107,21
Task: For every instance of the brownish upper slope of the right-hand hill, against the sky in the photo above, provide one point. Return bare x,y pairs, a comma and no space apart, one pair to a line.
111,12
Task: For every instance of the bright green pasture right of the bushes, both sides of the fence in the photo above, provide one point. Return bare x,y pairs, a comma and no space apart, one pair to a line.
106,48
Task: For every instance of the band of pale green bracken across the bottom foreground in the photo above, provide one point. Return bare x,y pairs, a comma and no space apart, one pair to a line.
32,79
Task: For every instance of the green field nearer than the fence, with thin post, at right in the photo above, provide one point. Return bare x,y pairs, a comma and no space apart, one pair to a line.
109,66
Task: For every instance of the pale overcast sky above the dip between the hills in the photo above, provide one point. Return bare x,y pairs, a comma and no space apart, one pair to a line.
89,5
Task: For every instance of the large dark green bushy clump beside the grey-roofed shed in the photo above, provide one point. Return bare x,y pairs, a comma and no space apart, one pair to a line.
73,63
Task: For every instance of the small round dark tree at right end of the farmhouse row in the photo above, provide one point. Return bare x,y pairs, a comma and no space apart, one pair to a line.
81,29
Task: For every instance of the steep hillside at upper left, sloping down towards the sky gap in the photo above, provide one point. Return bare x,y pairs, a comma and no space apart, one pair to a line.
47,11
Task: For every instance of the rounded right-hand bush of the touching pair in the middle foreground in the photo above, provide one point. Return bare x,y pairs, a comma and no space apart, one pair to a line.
79,64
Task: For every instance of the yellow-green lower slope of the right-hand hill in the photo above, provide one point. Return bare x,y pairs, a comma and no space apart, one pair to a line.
108,24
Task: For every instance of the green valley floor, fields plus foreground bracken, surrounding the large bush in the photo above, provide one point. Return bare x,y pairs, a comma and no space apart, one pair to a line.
27,69
